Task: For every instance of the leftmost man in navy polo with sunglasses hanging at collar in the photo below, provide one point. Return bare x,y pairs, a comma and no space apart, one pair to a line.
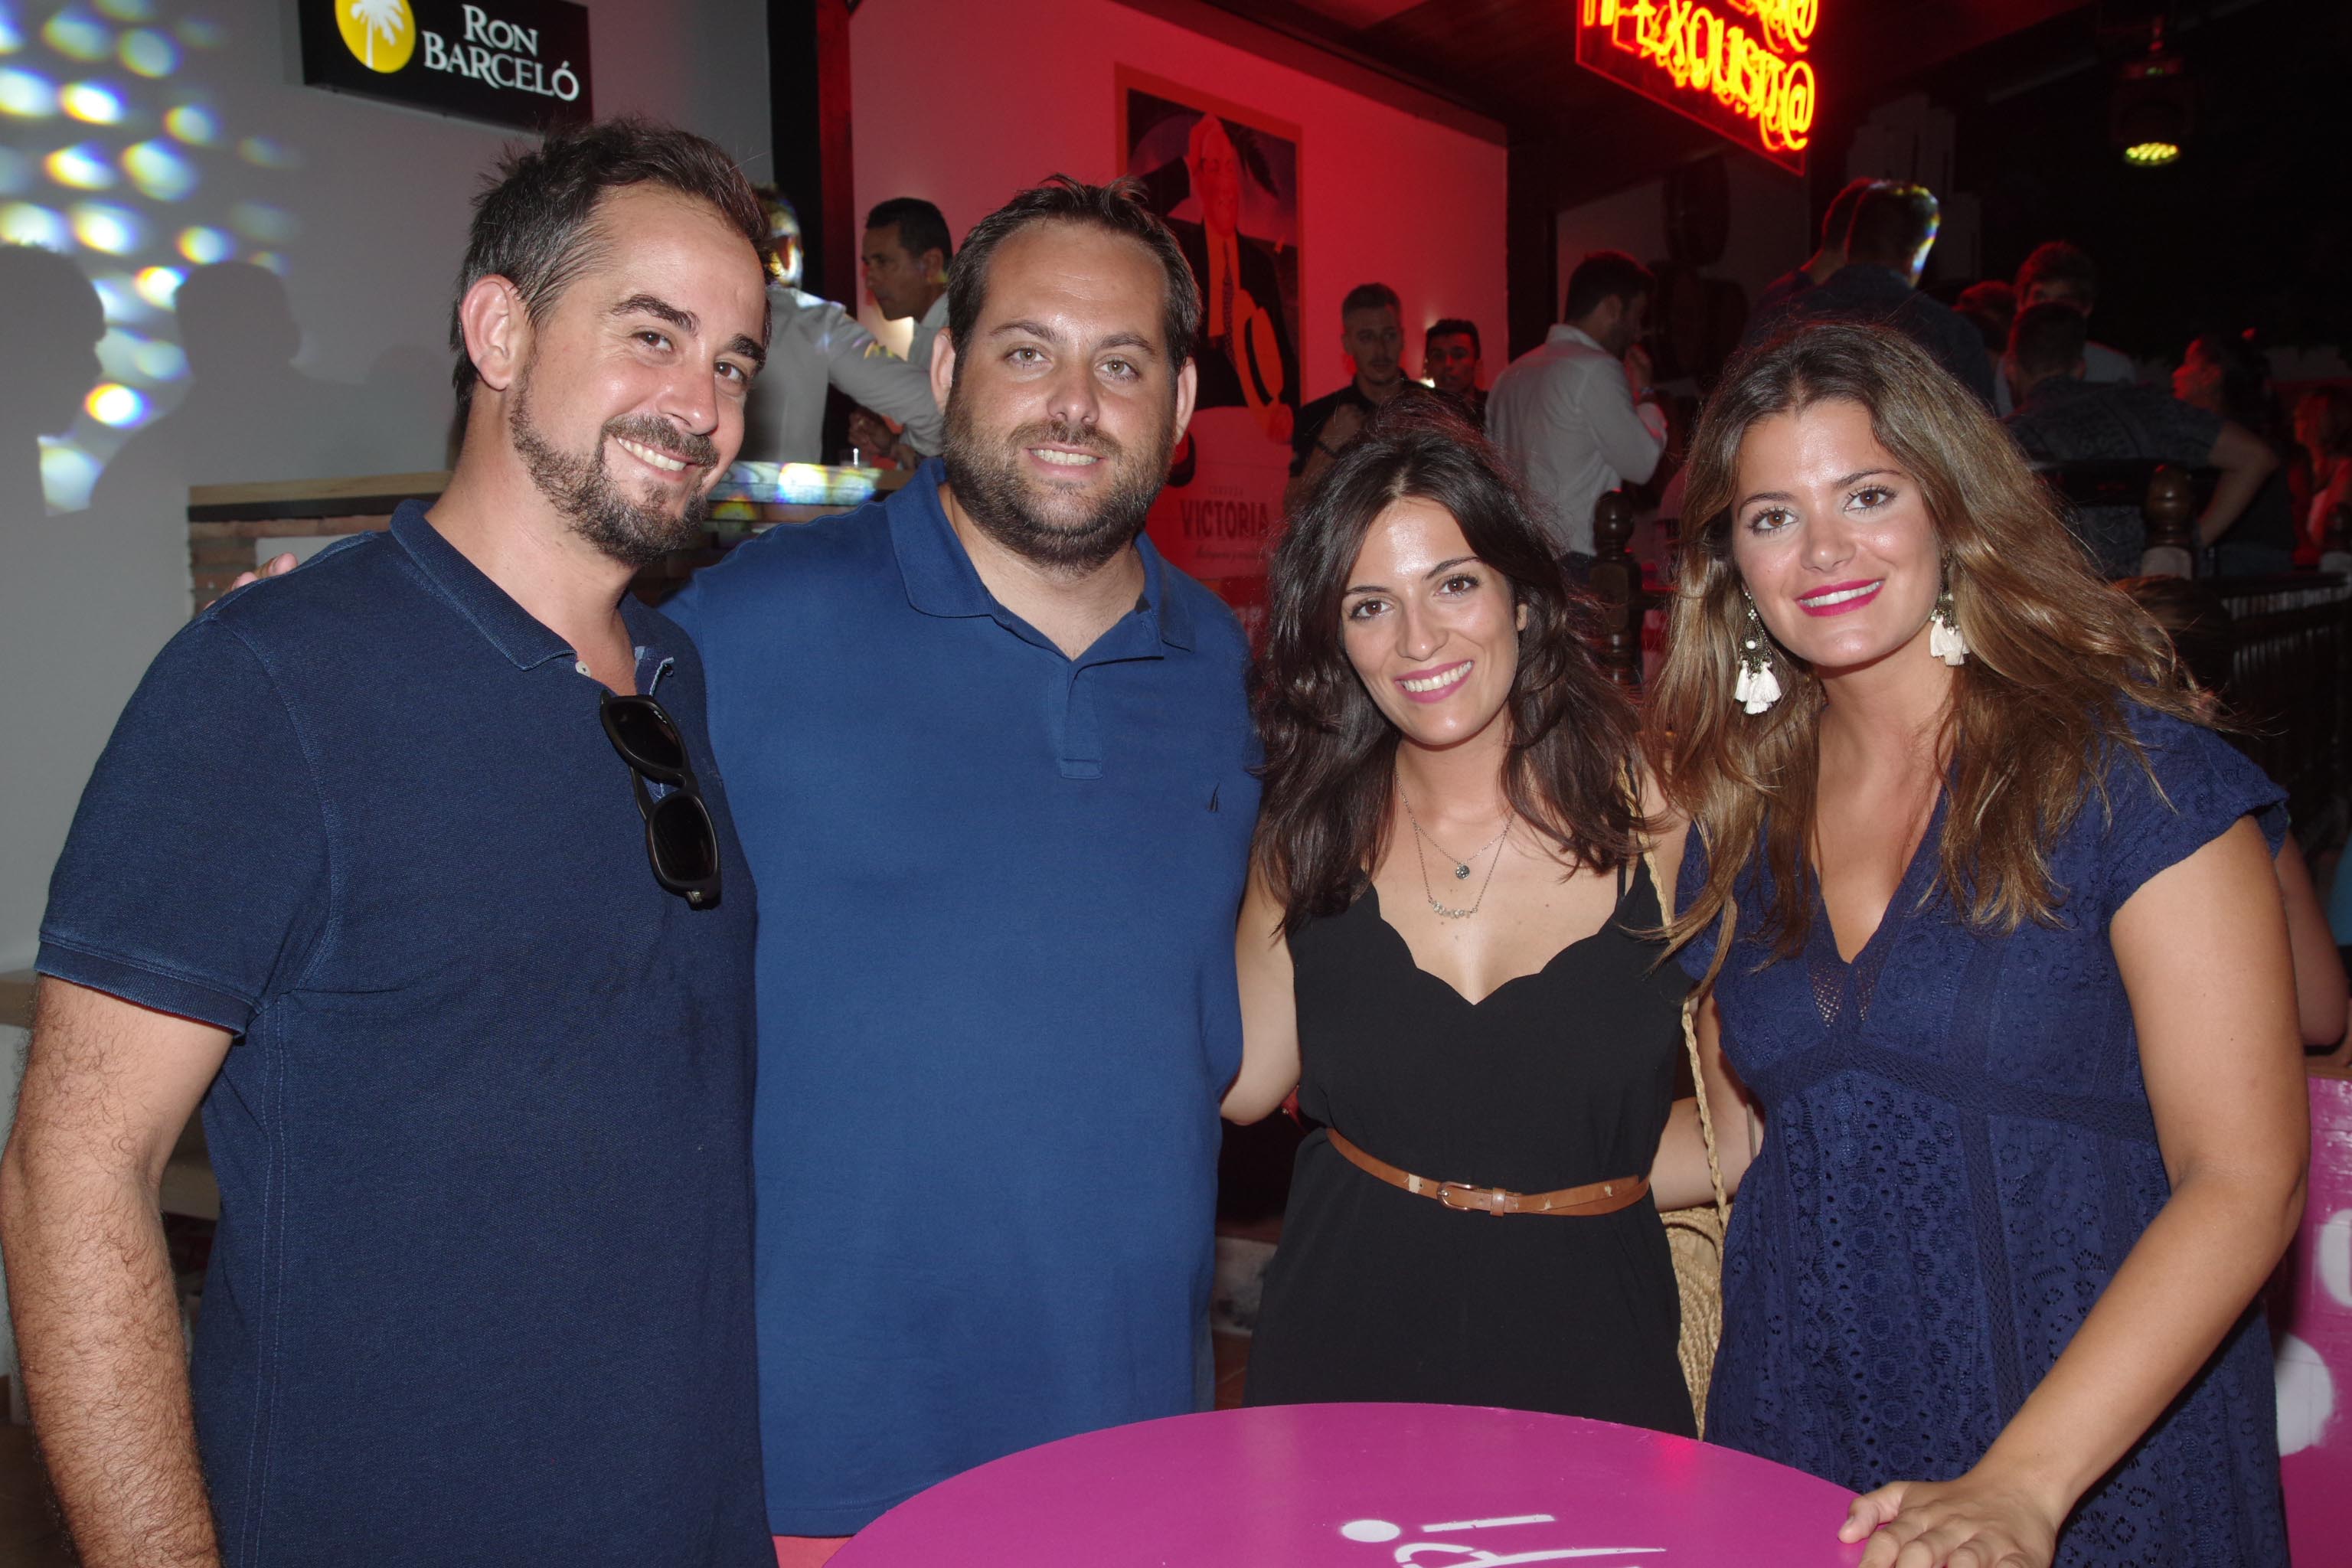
363,859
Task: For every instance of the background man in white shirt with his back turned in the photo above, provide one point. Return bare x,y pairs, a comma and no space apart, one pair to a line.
1579,415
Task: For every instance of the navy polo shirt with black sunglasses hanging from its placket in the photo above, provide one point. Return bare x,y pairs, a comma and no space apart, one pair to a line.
481,1289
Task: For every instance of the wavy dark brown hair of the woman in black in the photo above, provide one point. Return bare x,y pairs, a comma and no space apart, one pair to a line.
1330,753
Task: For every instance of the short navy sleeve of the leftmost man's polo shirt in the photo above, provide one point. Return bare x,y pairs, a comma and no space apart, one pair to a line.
196,871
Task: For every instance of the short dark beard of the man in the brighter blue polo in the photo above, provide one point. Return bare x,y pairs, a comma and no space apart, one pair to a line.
1005,504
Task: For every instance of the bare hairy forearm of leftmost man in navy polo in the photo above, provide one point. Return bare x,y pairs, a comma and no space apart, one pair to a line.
105,1367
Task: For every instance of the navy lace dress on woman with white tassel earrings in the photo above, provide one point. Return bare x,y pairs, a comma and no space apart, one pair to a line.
1958,1155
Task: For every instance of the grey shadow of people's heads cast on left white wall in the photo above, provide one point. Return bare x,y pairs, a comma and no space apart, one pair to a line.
88,598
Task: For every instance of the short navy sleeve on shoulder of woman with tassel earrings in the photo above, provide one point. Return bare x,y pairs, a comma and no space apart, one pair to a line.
2193,789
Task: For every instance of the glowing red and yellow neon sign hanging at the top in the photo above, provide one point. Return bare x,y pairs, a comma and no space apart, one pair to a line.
1746,81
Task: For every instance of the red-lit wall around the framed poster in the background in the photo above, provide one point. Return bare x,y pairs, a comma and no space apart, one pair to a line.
954,105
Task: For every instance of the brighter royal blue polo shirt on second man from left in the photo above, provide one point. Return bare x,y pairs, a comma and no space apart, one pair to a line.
996,996
